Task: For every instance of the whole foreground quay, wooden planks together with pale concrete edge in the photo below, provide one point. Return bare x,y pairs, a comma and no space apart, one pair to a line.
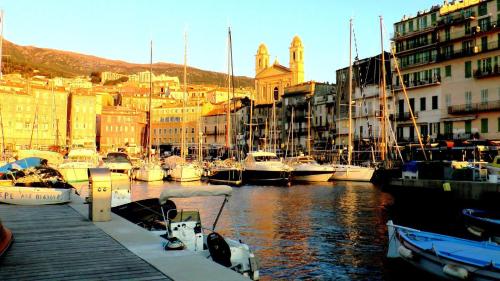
59,242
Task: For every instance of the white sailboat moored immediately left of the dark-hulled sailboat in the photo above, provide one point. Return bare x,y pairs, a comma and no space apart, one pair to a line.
184,171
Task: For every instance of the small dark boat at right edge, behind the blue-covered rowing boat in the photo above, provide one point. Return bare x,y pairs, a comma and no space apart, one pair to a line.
482,223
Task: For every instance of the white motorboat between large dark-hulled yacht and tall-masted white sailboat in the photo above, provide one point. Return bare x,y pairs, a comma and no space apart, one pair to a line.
306,169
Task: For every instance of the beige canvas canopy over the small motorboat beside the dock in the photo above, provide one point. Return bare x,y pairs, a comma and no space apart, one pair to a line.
195,191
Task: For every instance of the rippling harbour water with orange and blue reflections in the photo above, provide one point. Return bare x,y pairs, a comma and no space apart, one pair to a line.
327,231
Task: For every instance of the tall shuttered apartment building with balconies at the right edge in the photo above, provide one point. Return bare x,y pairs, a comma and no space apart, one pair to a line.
449,62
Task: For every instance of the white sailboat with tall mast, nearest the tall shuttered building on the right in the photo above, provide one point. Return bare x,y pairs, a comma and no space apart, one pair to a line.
349,172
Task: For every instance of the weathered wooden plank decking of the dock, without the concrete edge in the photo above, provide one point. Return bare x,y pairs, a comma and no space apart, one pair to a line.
58,243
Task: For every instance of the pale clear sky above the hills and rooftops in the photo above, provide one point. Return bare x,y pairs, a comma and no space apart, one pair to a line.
122,29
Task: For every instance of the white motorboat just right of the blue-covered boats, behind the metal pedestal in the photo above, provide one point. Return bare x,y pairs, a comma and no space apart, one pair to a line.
75,168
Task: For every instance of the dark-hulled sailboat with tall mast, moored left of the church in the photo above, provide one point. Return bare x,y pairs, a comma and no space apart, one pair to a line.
228,171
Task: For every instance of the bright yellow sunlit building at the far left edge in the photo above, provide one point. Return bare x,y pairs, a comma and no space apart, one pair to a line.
32,115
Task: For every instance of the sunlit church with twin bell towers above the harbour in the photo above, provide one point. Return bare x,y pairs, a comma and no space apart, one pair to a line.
271,80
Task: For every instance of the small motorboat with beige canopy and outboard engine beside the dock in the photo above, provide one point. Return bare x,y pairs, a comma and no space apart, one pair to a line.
182,229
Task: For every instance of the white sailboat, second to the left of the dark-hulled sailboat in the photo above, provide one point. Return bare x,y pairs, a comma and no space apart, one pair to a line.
149,171
